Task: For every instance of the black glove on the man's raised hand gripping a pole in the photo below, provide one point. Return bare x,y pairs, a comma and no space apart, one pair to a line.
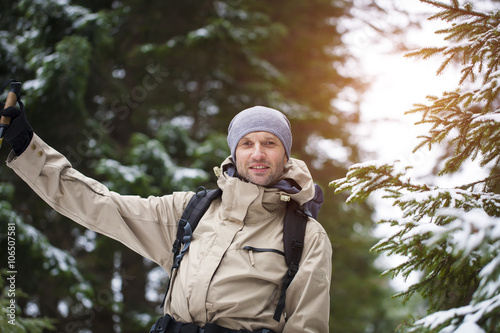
19,132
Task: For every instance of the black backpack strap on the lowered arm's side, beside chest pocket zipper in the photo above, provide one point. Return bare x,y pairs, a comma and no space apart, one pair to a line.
294,229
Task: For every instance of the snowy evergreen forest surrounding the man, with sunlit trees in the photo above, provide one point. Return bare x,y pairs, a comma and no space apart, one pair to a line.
139,95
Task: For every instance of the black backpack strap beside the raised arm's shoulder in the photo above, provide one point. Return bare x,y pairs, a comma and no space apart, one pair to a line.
195,209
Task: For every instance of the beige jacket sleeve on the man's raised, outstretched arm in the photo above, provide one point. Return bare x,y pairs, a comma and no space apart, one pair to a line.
146,225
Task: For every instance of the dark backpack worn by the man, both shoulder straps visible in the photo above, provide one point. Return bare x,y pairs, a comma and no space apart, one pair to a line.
293,235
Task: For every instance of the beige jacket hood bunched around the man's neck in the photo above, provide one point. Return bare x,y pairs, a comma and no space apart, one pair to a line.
296,182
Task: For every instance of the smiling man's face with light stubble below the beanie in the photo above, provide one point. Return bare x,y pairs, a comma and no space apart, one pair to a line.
260,158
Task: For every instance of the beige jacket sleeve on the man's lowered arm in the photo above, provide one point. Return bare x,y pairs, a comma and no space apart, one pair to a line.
308,296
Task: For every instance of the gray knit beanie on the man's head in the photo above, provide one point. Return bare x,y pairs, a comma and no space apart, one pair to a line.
259,119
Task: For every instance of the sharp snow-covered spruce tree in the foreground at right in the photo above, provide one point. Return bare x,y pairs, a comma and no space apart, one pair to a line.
451,235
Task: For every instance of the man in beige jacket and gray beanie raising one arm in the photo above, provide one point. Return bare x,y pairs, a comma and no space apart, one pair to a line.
231,276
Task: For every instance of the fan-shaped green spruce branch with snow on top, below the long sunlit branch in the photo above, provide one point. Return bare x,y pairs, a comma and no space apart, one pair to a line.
427,245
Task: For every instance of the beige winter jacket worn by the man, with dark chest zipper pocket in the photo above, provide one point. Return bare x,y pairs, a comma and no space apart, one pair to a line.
218,281
